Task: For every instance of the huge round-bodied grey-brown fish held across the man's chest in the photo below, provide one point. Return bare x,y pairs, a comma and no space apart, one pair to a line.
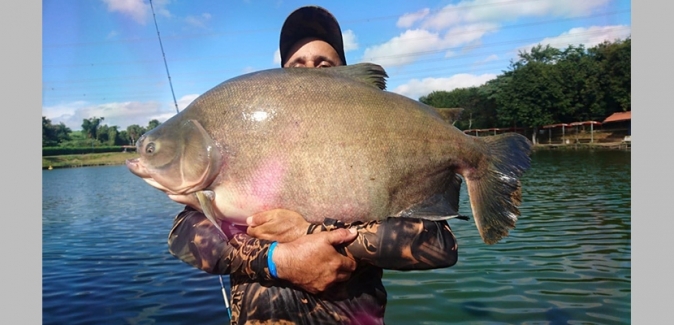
330,143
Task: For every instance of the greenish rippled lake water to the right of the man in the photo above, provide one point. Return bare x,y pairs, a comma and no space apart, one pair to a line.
568,259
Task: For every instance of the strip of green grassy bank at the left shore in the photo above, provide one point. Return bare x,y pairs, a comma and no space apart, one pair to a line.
94,159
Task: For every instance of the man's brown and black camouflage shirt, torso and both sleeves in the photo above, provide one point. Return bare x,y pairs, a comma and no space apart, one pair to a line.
257,298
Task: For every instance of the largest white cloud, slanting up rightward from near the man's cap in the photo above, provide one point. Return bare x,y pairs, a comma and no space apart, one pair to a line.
462,26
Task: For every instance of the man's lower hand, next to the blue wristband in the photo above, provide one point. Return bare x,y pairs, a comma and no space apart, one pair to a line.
312,263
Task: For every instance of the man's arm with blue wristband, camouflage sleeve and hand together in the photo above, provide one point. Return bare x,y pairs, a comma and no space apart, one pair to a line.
194,240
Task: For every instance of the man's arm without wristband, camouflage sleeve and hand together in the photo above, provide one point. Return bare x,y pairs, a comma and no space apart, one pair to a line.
393,243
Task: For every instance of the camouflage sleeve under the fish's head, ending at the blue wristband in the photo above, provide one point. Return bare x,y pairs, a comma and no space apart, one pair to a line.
195,241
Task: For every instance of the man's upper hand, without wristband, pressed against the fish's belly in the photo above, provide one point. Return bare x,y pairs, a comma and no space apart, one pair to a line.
277,225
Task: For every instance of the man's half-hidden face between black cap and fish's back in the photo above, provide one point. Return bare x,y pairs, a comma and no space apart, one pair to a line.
311,52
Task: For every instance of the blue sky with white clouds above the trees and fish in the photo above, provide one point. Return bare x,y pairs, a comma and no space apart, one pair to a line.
103,58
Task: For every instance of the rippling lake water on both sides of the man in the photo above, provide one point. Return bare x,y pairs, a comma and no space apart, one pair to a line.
105,258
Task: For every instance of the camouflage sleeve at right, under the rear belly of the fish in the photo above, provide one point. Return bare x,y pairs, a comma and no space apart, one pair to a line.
401,243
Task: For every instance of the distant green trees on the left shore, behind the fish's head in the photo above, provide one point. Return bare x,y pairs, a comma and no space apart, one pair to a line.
93,134
